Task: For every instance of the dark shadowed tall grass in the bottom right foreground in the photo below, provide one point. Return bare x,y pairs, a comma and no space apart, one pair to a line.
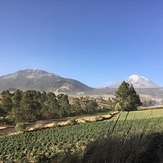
140,148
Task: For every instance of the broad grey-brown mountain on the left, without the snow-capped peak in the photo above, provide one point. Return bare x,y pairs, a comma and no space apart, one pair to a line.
41,80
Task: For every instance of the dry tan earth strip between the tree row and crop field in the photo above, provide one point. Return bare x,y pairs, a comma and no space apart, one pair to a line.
30,126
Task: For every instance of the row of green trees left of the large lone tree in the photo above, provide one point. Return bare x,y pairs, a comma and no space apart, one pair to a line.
32,105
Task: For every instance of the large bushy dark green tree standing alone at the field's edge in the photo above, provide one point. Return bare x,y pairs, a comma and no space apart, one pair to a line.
127,98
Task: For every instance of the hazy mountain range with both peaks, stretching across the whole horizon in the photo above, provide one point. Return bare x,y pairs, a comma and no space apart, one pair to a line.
44,81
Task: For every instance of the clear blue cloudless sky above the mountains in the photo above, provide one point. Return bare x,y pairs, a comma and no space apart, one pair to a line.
98,42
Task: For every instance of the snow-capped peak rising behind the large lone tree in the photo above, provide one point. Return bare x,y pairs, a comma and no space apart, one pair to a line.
139,82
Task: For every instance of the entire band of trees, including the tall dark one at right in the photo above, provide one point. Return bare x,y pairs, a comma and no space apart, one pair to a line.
32,105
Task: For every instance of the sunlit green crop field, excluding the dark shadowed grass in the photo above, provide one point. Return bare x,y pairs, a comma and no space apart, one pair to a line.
67,144
